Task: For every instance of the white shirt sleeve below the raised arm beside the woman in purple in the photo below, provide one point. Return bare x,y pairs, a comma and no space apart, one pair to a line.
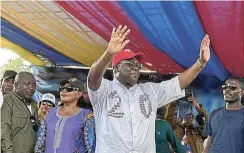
98,96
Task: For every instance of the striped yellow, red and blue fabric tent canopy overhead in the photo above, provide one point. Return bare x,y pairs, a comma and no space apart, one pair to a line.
169,33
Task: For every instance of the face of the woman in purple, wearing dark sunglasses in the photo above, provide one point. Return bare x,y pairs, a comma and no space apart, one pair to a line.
69,94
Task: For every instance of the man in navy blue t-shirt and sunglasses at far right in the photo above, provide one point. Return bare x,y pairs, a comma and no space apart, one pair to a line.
225,128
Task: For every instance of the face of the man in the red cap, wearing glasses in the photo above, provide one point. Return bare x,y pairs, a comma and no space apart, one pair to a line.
129,71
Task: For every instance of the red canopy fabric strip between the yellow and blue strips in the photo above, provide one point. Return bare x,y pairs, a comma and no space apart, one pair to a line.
101,17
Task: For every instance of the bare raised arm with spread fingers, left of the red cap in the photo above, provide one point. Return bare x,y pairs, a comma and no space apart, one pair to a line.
115,45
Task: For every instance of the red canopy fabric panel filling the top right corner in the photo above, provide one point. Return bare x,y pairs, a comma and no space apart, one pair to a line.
224,22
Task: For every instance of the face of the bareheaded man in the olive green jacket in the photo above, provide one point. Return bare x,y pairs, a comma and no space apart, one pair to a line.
26,87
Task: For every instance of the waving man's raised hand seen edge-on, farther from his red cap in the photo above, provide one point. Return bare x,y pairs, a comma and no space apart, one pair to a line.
205,50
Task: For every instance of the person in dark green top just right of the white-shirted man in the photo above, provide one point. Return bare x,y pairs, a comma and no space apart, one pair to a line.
164,135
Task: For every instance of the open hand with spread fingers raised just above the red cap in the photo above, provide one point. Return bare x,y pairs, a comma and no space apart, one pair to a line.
117,41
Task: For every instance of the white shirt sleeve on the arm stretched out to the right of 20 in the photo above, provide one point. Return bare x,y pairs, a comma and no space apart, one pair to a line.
168,91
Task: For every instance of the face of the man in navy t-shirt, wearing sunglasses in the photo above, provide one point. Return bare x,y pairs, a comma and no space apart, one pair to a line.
232,91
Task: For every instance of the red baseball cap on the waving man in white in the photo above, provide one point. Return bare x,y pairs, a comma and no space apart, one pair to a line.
127,54
